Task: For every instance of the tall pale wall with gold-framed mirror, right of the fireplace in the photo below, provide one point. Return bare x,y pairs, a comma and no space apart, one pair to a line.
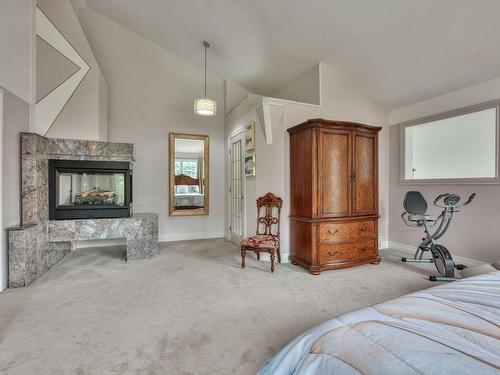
151,94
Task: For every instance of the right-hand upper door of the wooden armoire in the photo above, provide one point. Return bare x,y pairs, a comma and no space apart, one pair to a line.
365,184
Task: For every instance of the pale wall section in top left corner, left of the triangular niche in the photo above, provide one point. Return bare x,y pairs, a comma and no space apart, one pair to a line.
16,28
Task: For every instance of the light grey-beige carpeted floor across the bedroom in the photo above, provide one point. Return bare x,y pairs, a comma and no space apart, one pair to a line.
192,310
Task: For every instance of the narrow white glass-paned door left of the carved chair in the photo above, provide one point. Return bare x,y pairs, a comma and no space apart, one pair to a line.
237,219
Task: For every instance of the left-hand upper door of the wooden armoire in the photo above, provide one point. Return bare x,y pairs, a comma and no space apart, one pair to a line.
334,156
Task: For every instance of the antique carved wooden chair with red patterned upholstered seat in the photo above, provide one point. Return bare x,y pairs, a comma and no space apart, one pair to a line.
264,240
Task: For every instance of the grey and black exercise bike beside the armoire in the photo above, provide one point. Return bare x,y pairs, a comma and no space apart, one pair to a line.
415,215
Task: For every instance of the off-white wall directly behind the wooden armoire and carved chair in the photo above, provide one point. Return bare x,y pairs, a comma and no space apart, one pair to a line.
342,99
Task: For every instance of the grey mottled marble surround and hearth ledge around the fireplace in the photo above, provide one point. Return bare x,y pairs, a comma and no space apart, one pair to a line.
39,243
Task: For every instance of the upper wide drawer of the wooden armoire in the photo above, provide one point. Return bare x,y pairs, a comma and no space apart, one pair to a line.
349,230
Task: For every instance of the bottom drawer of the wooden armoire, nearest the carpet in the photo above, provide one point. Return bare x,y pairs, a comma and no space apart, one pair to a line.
346,251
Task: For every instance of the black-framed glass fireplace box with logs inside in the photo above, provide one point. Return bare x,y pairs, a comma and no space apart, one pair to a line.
80,189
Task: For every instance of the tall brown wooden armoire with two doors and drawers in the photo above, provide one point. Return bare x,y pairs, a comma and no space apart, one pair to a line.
334,194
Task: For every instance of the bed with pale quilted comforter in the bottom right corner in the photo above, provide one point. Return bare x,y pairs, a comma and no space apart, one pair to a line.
450,329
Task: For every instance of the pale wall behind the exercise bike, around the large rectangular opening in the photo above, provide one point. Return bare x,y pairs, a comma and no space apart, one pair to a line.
474,232
